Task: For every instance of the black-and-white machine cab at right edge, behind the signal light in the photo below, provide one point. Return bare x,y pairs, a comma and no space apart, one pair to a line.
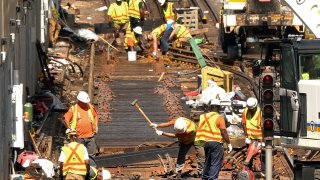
300,93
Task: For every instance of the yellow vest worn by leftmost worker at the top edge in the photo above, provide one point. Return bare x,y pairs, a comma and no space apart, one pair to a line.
119,14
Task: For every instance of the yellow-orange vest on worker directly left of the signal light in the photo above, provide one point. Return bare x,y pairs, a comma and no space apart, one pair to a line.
253,124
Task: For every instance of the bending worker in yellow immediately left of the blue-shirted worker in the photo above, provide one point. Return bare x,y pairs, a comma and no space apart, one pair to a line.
154,36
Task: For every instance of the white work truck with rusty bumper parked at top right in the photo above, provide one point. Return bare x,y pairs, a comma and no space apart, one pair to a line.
245,23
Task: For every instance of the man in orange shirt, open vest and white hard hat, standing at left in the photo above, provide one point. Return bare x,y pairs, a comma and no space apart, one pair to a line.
83,118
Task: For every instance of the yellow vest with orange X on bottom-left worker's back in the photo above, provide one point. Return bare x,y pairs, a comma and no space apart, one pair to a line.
74,155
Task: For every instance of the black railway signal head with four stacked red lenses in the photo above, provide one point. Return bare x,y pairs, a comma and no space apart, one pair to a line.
267,97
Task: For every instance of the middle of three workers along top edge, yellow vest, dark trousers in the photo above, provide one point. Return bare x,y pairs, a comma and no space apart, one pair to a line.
137,13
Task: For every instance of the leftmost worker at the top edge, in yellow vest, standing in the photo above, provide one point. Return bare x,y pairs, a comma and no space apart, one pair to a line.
118,12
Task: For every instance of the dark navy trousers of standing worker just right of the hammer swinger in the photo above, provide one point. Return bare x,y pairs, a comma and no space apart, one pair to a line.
214,156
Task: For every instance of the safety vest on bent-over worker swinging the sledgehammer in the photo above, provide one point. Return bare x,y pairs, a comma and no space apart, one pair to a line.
188,136
